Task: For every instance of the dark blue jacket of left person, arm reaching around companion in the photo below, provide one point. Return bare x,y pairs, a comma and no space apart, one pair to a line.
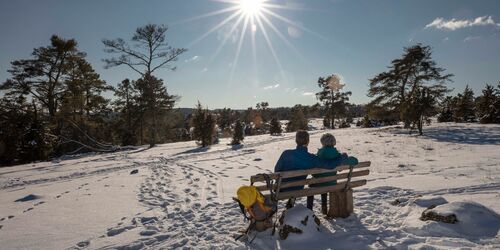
300,159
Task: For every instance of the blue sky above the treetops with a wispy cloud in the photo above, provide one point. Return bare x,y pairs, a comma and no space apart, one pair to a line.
356,39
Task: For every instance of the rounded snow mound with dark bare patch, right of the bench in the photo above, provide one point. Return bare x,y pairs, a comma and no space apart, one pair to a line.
474,221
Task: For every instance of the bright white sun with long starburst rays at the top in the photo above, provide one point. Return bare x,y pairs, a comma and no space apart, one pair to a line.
255,18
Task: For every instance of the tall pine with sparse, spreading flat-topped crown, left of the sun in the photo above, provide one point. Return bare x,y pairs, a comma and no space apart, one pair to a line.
147,52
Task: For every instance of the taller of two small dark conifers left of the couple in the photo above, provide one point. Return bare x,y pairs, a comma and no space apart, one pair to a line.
204,126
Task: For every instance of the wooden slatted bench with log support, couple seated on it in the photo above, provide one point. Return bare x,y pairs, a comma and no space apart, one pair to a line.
340,195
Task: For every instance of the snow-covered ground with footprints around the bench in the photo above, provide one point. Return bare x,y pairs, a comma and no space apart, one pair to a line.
181,195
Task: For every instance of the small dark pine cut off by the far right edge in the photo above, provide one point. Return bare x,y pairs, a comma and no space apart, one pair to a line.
485,105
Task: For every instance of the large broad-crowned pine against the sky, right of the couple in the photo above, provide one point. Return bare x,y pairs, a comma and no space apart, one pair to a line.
395,90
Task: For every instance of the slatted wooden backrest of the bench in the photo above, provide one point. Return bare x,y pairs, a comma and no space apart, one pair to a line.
346,176
